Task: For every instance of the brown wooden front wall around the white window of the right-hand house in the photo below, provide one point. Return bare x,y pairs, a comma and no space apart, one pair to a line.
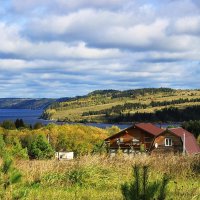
177,145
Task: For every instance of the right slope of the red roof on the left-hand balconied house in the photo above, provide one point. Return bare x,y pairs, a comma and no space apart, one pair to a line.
150,128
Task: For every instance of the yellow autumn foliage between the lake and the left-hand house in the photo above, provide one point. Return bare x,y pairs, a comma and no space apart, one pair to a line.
71,137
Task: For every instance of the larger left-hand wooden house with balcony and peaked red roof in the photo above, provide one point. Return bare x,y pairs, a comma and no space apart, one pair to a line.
133,139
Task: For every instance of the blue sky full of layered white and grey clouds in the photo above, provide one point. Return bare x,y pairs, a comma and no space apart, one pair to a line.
65,48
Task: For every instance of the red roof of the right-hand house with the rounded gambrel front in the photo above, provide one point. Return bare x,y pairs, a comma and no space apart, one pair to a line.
190,141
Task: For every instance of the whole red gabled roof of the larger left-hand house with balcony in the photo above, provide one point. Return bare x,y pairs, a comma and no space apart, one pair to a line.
147,127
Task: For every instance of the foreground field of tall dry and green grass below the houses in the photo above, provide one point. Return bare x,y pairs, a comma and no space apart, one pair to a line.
99,177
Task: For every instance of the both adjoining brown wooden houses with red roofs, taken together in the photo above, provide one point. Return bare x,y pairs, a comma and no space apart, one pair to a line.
149,138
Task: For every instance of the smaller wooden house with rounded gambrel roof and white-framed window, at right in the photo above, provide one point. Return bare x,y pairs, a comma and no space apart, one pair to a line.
175,140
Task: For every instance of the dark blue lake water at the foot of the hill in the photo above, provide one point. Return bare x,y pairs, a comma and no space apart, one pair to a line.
32,116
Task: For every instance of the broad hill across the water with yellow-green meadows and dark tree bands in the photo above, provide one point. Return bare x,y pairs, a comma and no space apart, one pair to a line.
147,104
